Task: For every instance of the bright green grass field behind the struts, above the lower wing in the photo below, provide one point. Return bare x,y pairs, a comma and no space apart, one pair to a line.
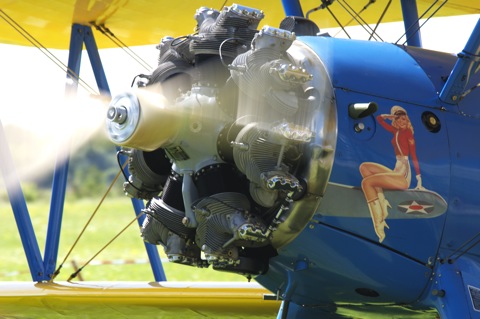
111,218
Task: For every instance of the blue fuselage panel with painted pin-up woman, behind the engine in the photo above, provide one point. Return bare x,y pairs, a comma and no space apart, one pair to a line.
338,257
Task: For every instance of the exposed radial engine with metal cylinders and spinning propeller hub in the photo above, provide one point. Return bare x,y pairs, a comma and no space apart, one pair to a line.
231,141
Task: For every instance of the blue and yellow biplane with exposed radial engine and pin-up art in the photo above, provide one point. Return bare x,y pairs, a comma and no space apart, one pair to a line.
339,174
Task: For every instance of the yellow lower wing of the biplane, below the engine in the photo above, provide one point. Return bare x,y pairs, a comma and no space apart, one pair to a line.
118,300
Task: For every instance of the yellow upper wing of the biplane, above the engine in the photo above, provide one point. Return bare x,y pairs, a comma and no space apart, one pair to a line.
143,22
